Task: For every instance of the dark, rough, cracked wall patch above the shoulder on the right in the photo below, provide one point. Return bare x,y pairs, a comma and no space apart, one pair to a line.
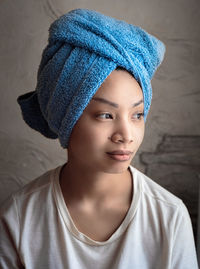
175,165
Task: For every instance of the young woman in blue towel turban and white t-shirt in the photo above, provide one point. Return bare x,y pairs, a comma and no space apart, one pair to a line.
95,211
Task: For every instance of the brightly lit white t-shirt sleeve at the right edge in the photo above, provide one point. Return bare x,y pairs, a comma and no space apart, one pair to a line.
183,251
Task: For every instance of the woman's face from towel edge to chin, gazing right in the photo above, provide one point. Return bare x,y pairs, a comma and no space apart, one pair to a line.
111,128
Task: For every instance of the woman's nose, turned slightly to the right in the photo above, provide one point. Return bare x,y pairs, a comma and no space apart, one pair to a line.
123,133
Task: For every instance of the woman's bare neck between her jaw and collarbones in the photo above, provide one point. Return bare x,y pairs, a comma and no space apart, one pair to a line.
79,183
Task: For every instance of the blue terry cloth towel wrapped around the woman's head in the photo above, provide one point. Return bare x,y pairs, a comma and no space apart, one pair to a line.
84,47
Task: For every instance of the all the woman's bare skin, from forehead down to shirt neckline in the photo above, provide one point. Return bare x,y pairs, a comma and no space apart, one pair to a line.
98,188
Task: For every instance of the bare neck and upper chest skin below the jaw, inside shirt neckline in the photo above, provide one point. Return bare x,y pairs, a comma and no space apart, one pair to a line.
97,211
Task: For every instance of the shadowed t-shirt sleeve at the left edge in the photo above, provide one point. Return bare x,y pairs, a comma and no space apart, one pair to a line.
9,236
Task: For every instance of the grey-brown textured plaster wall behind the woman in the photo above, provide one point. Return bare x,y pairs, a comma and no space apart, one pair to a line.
172,128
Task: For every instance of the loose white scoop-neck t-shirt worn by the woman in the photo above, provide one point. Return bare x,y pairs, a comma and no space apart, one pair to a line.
37,231
